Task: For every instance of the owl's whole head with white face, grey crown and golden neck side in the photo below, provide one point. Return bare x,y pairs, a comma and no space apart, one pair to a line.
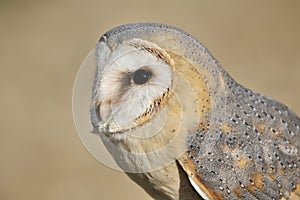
153,85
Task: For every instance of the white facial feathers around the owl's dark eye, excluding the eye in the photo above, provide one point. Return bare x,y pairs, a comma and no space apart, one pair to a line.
121,105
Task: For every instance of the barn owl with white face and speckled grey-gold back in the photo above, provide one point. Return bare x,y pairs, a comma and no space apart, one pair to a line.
179,125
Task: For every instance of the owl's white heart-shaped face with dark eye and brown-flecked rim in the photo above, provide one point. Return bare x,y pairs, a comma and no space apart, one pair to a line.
134,80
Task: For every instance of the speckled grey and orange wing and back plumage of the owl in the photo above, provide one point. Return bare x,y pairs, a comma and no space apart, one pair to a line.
272,150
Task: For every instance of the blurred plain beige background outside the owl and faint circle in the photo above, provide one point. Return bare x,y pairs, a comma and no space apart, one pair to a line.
42,44
